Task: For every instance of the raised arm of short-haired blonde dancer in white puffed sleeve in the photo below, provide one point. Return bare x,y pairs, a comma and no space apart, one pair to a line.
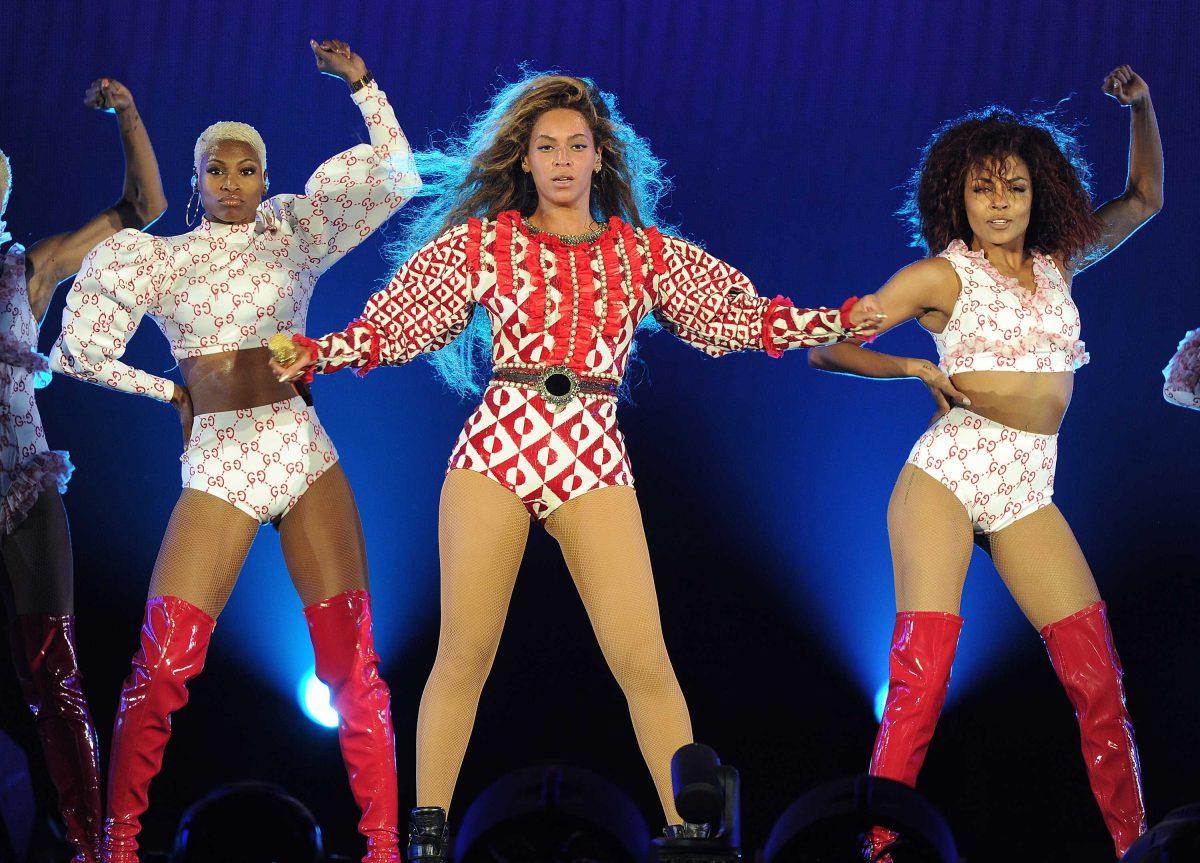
356,191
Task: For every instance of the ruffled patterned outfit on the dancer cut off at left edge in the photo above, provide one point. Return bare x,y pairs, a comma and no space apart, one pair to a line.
27,464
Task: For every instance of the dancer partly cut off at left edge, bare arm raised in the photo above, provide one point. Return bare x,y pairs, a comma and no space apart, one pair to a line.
37,541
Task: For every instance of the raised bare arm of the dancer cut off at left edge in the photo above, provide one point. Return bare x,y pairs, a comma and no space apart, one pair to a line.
59,257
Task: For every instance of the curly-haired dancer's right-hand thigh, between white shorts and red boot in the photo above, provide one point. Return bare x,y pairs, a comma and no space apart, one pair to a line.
1043,567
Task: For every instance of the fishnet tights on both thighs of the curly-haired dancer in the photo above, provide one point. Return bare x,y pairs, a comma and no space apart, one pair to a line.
1037,558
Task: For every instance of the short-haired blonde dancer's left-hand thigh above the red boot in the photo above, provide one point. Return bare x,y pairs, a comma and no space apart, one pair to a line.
205,549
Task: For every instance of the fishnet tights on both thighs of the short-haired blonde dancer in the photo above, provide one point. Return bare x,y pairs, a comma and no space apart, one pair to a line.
208,540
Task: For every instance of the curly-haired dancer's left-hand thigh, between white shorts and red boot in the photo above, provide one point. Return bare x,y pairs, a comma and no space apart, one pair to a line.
932,542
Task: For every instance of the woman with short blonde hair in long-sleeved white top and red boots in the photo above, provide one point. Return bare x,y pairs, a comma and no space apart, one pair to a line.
255,451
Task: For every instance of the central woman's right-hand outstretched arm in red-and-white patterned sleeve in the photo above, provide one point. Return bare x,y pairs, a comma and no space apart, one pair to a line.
715,308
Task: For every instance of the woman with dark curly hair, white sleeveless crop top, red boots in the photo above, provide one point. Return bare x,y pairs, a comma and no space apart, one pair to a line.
1004,199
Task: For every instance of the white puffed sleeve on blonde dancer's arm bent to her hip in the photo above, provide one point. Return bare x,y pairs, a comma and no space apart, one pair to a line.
118,284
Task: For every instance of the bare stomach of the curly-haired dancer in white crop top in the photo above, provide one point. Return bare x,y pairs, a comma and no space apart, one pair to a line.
1030,401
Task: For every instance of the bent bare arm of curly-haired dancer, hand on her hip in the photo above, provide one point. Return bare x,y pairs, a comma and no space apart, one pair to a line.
923,289
